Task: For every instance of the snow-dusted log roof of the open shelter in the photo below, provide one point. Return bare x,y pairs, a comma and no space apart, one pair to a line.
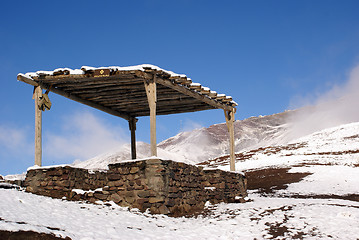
120,91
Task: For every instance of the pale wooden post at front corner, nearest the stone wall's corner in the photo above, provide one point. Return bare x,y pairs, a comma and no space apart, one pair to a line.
150,86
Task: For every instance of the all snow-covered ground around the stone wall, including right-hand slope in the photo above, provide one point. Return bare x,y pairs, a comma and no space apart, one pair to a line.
331,156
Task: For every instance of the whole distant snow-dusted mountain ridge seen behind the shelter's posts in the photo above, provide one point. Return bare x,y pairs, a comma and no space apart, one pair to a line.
205,143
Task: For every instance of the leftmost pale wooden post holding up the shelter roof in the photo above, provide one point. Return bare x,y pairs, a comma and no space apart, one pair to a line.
38,127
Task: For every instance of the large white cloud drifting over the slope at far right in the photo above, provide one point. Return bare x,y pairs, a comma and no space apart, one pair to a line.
337,106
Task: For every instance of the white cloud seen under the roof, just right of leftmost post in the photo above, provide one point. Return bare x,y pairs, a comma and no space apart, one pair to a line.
83,136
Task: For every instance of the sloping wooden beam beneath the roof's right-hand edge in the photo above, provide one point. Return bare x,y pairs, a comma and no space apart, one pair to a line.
196,95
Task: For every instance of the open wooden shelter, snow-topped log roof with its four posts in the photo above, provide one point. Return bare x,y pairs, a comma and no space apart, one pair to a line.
129,93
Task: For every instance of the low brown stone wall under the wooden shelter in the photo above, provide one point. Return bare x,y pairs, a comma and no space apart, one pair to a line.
162,186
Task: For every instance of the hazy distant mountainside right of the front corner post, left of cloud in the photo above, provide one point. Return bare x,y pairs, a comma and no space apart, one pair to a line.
205,143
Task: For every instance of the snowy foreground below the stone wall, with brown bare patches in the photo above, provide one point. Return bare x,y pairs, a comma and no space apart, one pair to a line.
264,217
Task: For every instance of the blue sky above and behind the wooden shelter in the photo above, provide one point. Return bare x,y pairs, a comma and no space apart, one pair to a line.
268,55
